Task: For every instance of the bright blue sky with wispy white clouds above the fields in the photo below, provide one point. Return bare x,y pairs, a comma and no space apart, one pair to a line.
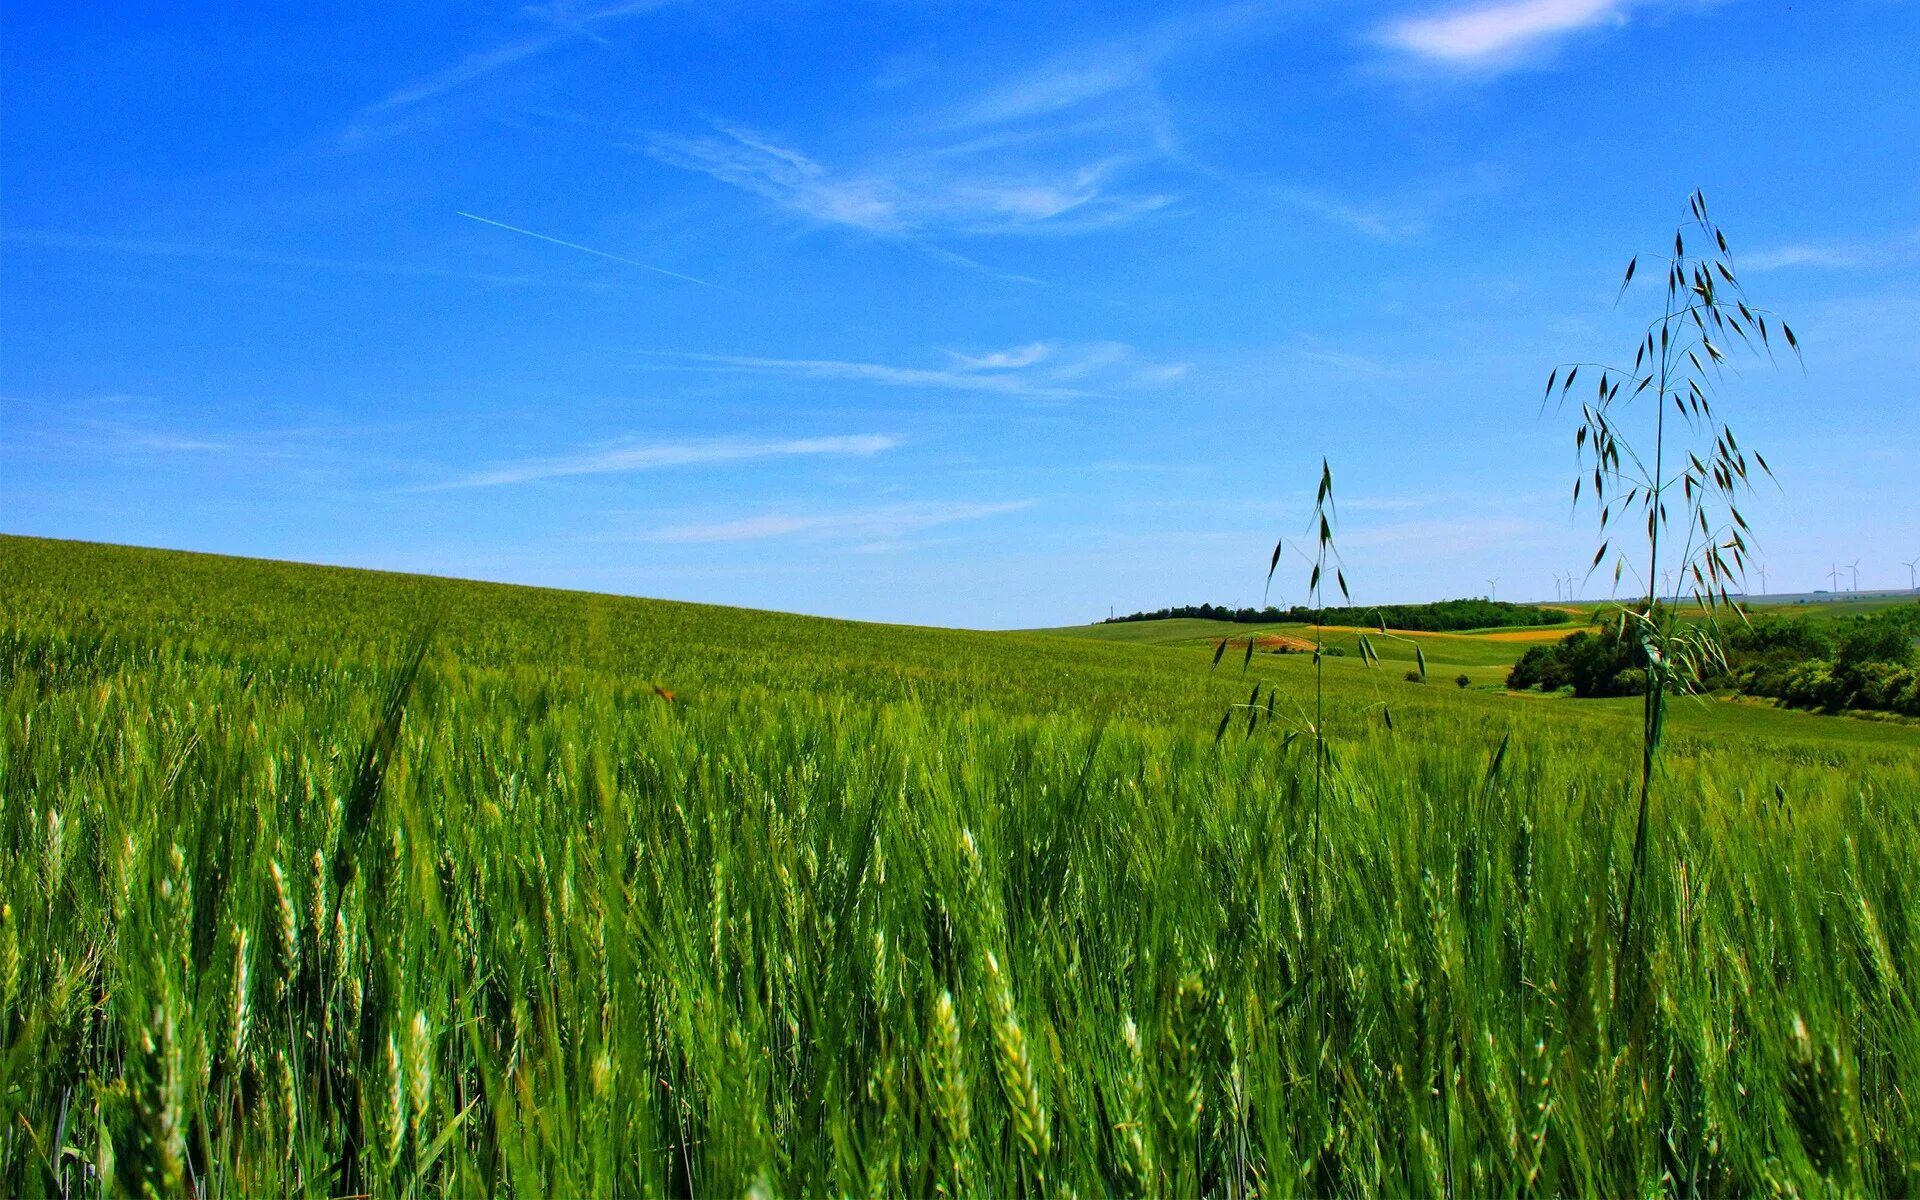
957,314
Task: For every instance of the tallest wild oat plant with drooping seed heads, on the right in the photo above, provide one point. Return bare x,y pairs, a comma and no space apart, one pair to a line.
1668,475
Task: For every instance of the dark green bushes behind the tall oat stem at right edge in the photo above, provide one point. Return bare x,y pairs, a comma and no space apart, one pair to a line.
1865,663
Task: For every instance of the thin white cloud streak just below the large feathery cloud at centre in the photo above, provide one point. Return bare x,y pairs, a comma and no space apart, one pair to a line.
1038,370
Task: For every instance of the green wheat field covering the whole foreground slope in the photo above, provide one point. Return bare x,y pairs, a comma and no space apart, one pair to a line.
325,882
